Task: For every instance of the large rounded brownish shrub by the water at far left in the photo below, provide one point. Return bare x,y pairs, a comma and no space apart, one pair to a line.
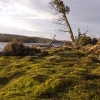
16,48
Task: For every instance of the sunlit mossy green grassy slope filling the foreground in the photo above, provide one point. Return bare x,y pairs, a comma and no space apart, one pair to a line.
30,78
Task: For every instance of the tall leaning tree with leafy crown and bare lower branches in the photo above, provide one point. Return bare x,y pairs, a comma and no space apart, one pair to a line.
61,10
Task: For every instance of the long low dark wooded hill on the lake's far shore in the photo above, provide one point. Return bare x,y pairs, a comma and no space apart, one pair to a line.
25,39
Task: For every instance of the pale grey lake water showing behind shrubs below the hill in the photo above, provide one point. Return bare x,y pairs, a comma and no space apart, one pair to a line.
3,44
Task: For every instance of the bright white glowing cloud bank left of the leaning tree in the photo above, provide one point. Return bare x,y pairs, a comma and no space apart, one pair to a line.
19,15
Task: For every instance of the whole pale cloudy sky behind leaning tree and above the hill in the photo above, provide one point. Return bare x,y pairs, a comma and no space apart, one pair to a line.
35,18
